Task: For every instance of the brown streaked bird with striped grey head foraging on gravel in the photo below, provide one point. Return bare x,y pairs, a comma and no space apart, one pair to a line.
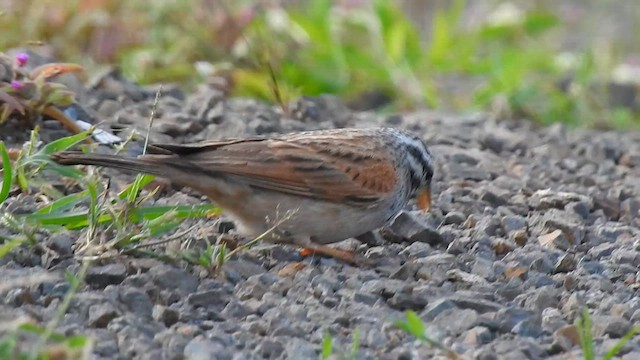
335,184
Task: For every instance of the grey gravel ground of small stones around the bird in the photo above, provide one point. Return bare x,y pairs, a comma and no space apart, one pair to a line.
528,227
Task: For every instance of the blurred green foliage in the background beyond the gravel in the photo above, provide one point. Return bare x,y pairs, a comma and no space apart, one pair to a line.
510,64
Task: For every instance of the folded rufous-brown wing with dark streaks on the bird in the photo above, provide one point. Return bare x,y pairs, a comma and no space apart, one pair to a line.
307,167
